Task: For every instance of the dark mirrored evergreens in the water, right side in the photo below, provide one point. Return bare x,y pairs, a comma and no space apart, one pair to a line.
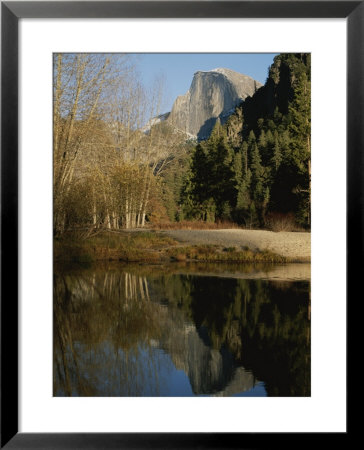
265,325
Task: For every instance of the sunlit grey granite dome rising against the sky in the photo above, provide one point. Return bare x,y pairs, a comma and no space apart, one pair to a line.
213,95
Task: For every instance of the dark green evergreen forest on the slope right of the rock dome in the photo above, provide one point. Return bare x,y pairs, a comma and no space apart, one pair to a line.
256,167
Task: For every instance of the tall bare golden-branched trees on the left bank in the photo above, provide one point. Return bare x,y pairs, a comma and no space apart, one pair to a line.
106,160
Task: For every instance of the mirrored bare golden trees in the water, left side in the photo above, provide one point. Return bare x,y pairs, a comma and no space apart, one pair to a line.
103,326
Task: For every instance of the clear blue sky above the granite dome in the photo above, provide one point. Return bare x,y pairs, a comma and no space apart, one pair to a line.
176,70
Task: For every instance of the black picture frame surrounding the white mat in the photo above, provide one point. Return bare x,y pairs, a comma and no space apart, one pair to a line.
11,12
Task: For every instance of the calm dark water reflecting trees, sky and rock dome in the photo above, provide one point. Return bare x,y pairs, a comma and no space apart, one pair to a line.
190,330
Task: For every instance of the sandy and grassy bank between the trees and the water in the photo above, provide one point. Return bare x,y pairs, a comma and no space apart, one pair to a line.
225,245
